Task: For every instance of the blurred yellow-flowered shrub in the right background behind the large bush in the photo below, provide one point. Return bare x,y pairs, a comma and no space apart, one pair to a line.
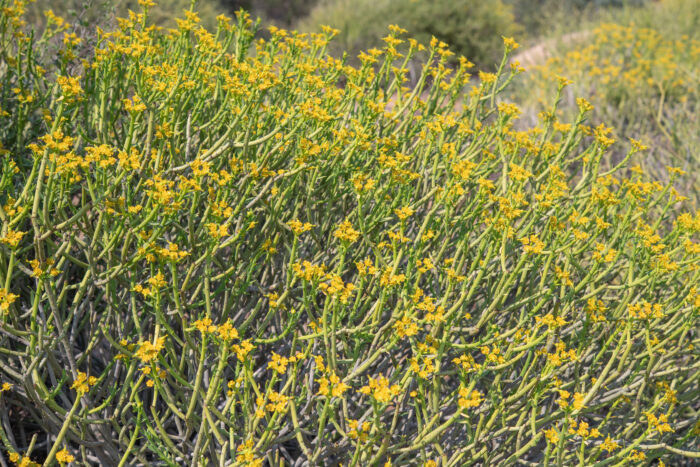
641,81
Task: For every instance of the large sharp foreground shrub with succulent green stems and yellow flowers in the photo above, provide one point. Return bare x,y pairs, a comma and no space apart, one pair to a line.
222,250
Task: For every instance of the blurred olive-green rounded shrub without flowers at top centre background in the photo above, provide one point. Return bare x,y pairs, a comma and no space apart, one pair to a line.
472,28
